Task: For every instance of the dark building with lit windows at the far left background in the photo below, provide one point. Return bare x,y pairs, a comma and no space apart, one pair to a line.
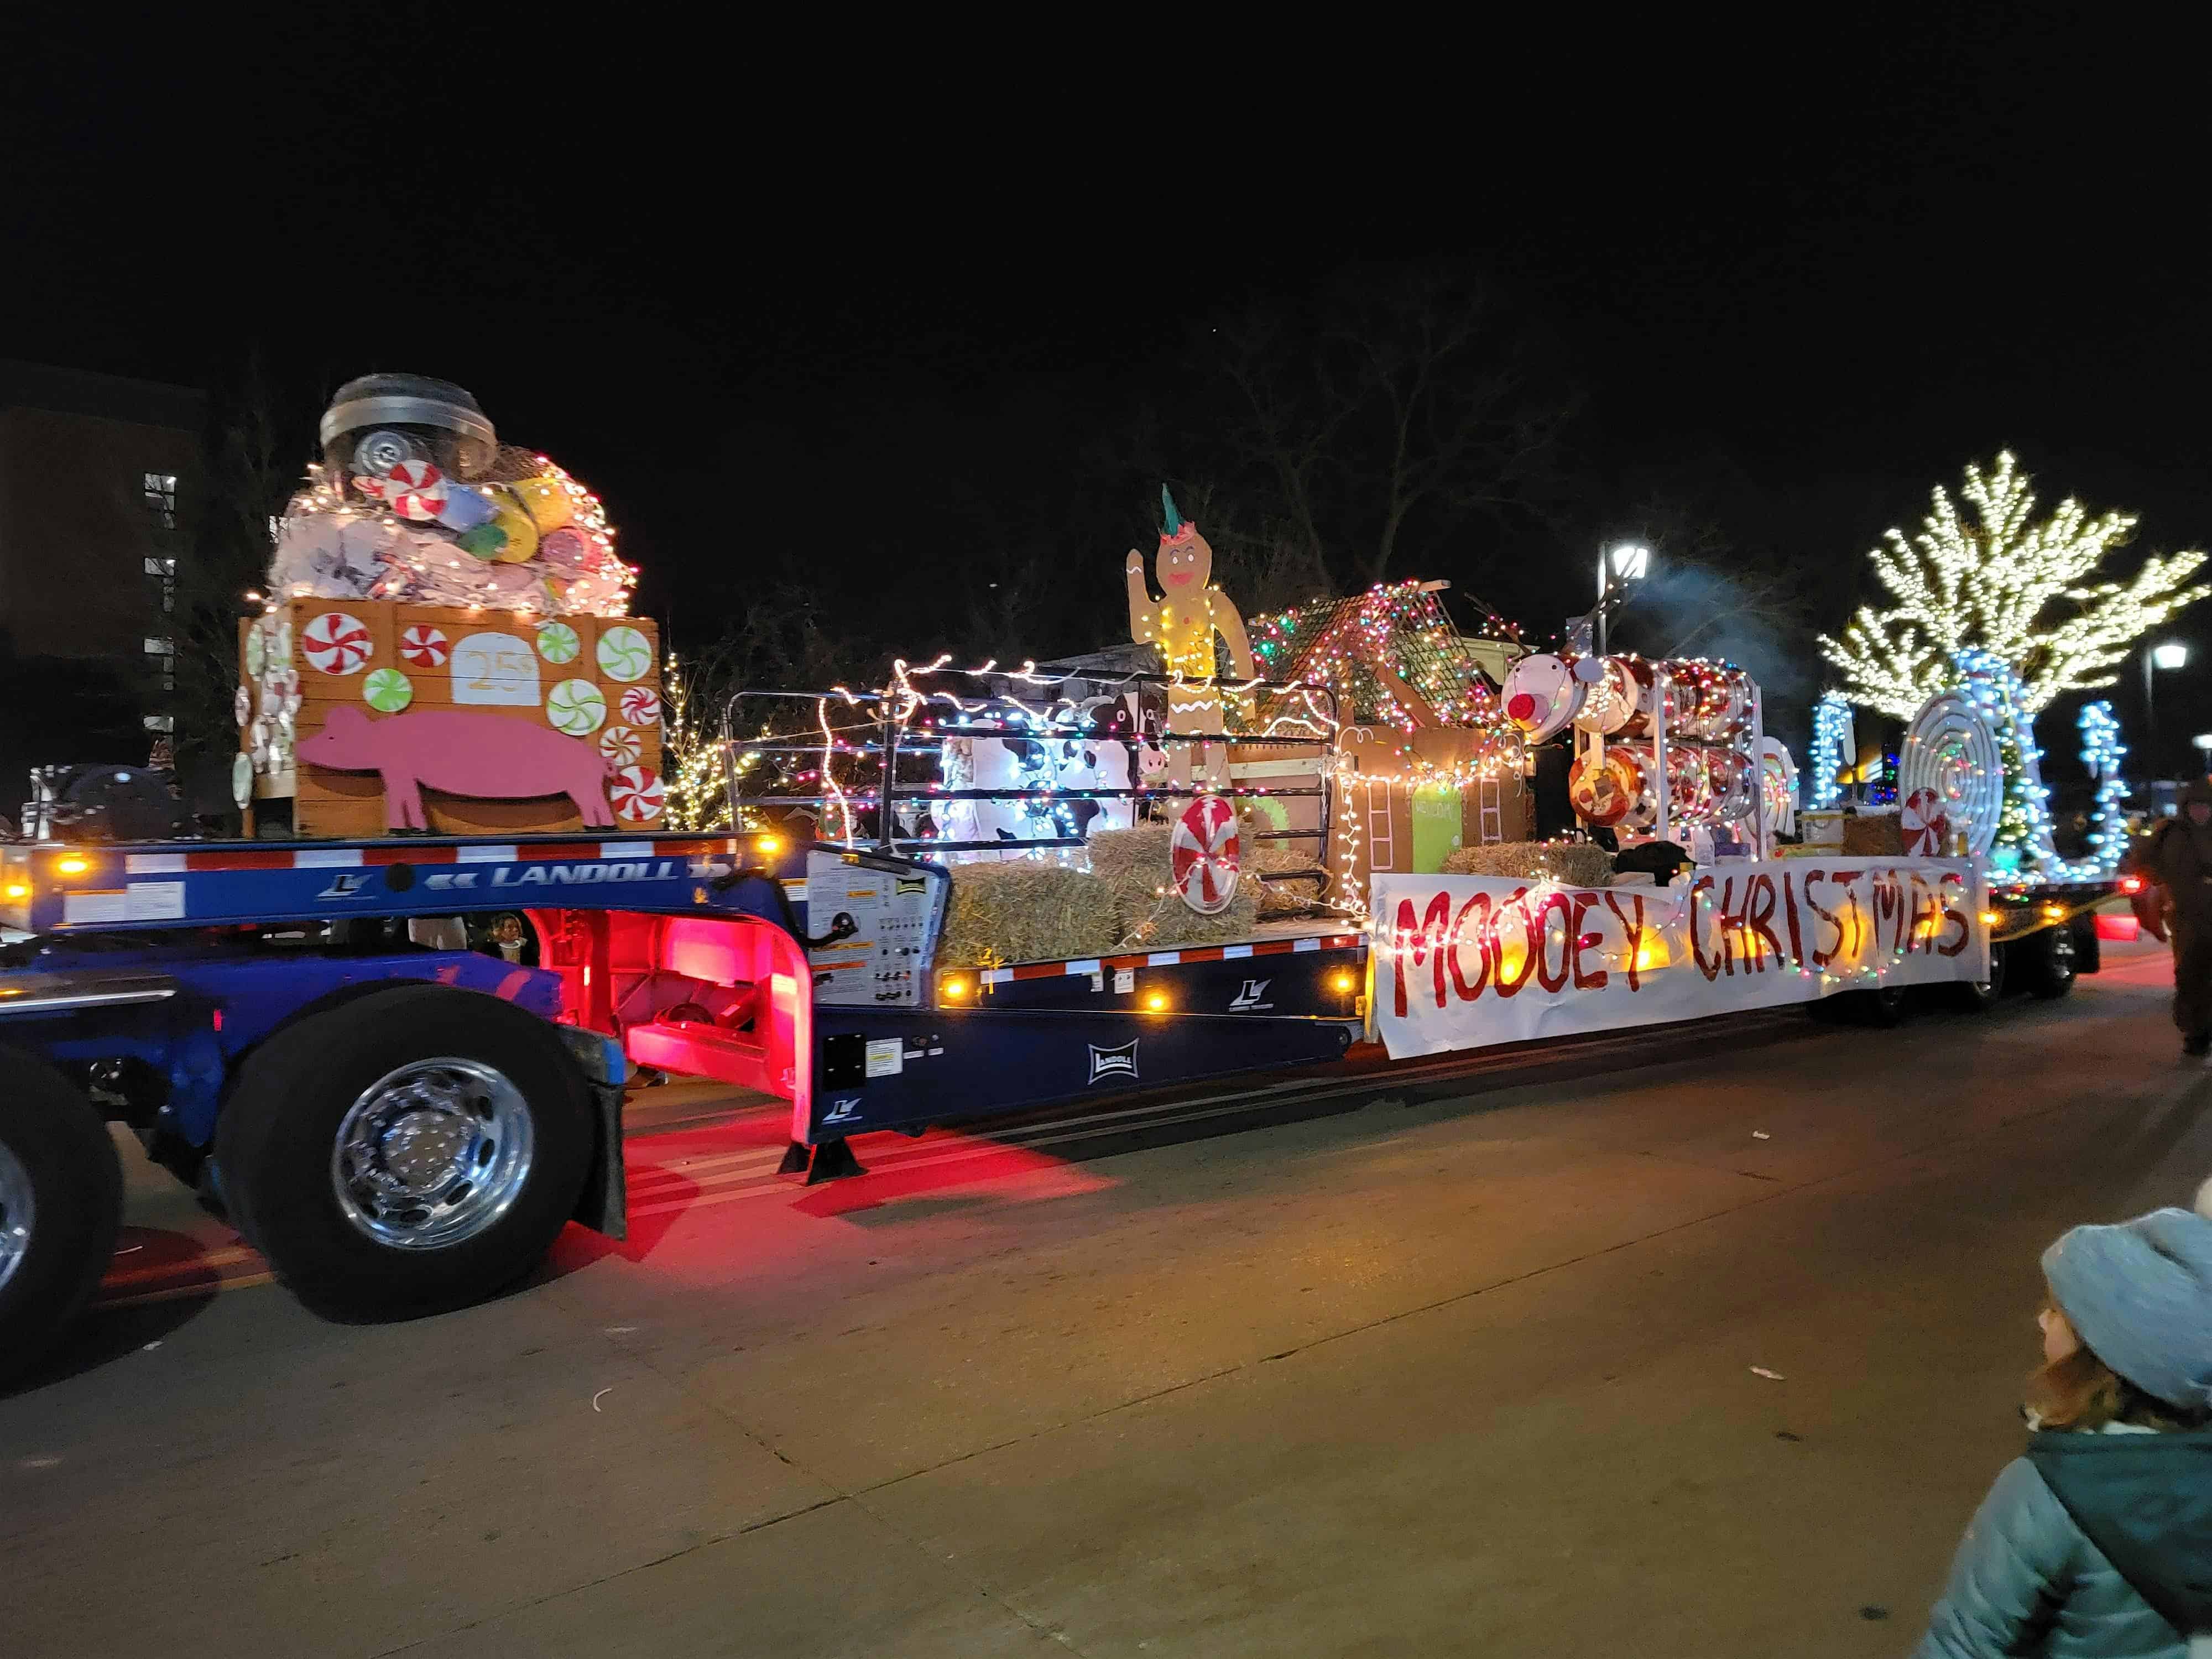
92,474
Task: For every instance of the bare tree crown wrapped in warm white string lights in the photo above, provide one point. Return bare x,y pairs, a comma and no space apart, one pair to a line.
2003,581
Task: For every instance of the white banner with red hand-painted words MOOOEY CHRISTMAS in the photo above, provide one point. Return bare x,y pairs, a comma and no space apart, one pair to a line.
1470,961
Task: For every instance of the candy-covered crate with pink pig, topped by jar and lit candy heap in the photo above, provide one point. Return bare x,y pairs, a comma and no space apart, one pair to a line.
446,643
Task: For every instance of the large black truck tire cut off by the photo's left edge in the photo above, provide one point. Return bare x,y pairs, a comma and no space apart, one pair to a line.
61,1202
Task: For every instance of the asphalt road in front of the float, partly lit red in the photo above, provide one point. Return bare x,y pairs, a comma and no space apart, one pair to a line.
1695,1359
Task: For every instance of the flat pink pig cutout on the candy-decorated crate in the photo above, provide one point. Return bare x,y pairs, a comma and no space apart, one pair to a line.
481,758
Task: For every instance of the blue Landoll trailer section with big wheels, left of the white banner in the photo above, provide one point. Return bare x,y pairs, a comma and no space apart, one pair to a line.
399,1063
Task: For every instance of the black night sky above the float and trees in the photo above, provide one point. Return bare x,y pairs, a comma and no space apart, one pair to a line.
764,291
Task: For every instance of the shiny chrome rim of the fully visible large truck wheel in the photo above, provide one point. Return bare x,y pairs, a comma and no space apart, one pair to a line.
432,1154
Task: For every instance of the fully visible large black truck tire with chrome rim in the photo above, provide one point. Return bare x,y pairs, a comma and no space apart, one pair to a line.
406,1154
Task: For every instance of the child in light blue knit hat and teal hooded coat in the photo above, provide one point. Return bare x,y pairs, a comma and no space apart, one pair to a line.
2098,1543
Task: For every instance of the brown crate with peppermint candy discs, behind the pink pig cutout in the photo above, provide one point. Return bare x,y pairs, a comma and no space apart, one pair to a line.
481,662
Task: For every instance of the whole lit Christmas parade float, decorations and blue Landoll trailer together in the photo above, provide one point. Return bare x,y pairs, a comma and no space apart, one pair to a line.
963,895
